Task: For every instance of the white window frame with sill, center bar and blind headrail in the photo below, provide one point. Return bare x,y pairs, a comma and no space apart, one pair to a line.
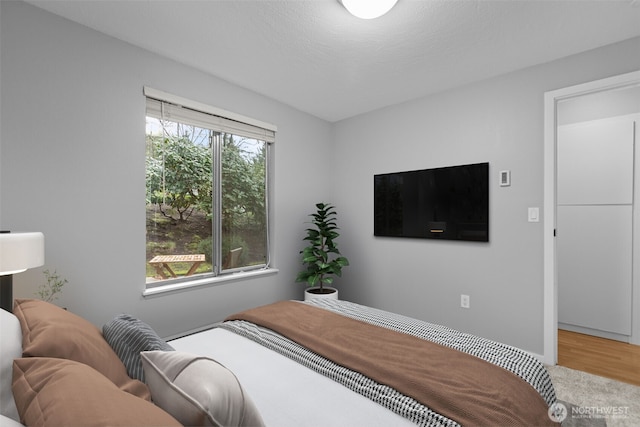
179,109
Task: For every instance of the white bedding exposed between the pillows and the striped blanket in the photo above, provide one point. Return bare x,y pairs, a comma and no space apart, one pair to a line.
285,392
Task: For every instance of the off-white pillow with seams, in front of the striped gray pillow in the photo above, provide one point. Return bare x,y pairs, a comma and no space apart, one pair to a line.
197,390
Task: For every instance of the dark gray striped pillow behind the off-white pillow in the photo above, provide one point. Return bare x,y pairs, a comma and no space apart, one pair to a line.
128,337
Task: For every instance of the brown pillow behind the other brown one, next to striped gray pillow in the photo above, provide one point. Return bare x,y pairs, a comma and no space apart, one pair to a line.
50,331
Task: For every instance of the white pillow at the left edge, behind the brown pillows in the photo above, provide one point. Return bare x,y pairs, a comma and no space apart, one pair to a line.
10,348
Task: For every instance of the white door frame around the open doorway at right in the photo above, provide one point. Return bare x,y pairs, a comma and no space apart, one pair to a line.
550,288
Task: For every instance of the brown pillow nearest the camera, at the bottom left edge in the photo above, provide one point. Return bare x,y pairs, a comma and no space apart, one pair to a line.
58,392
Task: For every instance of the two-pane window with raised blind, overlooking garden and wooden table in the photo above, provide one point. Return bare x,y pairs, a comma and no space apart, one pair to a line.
207,191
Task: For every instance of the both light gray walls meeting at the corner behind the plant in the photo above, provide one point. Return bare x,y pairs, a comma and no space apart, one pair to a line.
72,166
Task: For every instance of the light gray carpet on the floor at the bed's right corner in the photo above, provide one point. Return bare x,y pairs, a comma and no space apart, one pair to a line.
594,401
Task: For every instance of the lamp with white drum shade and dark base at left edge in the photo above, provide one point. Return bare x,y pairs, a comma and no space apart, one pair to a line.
18,252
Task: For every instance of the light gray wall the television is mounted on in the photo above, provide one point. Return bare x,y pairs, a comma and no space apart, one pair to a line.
499,121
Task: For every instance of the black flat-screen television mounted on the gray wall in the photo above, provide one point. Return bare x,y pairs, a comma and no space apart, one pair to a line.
450,203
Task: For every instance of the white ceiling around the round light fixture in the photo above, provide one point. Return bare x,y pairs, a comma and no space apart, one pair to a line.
316,57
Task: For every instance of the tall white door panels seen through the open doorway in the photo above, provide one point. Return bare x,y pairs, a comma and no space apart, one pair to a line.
595,177
